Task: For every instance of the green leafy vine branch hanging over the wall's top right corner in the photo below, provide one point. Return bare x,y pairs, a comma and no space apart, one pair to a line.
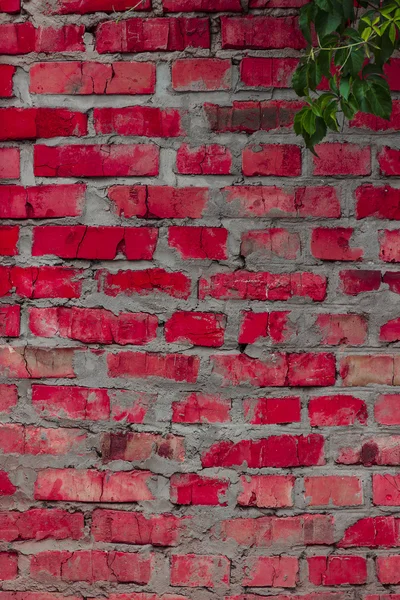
348,46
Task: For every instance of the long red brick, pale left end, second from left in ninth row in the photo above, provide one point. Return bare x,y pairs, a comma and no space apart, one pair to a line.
93,325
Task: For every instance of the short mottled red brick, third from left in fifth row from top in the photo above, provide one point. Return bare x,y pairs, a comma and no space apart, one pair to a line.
204,160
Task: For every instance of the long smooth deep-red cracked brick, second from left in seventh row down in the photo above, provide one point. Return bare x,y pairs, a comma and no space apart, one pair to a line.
95,243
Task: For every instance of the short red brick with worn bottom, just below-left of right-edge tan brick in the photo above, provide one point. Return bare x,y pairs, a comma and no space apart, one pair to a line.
337,411
